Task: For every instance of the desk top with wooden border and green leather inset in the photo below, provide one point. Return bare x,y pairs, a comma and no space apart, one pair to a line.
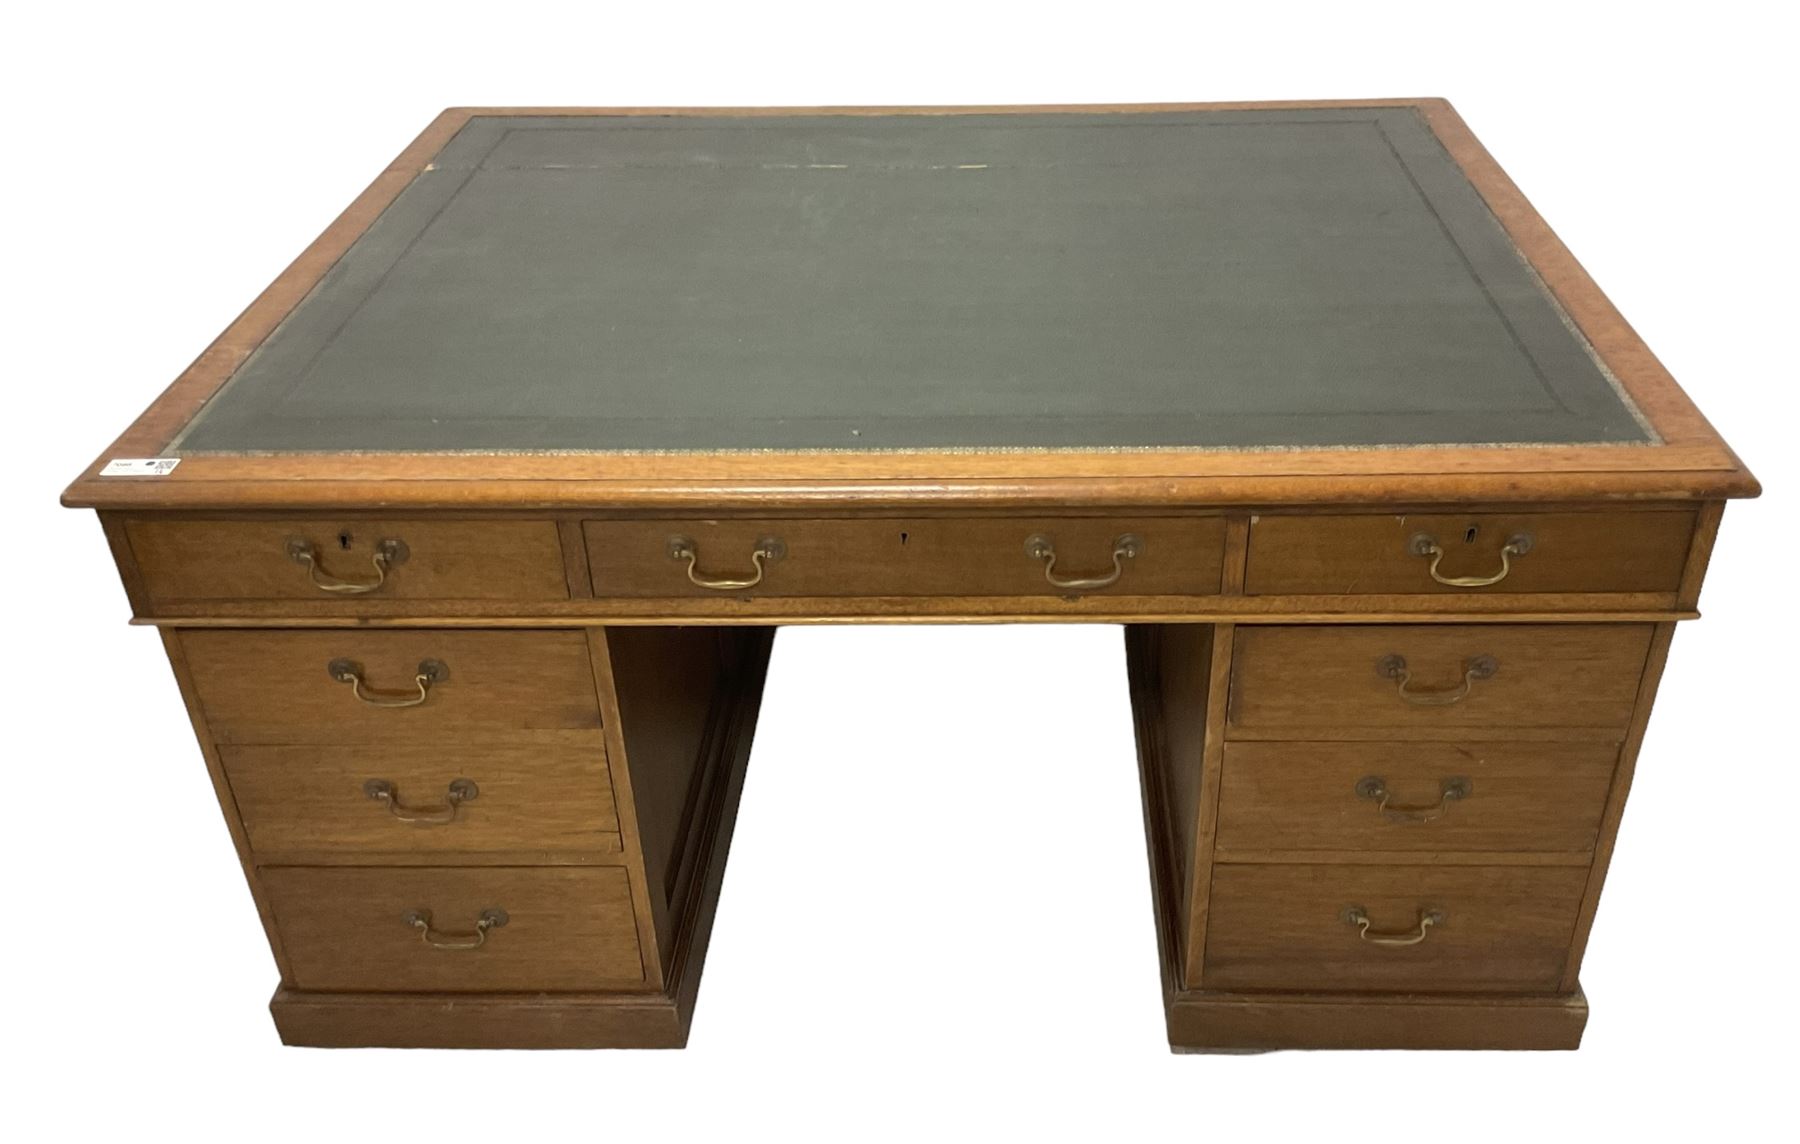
883,305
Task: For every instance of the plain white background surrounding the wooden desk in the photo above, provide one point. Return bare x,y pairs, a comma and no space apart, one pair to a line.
937,915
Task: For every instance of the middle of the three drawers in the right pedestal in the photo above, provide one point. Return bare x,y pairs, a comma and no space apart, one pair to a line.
1414,796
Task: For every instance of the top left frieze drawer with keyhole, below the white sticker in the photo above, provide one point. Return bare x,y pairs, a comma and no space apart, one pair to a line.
348,560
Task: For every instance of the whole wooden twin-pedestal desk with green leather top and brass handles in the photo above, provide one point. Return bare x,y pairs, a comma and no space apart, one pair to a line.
487,512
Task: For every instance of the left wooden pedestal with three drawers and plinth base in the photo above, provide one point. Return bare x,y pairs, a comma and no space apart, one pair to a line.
467,837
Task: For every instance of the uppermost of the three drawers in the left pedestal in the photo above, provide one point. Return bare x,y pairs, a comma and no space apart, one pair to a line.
348,686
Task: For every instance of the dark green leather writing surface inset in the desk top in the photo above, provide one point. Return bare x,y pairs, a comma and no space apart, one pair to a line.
1221,280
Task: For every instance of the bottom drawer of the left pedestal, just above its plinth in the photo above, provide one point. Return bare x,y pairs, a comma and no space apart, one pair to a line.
422,929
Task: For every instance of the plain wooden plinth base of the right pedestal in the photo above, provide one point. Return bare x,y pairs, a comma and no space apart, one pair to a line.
1236,1023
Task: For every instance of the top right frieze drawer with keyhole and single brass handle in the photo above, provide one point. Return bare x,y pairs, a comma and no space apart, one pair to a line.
1462,553
